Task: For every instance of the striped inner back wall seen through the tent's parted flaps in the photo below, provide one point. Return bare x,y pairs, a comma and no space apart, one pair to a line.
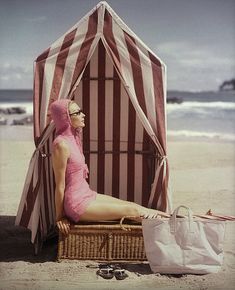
119,152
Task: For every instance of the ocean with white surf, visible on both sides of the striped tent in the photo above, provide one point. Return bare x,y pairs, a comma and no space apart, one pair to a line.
200,115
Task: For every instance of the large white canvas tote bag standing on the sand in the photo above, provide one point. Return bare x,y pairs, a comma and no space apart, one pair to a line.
179,245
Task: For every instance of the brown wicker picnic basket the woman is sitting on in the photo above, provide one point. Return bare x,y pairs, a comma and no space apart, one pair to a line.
105,241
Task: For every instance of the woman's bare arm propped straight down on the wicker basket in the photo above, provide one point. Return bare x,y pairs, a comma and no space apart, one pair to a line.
60,156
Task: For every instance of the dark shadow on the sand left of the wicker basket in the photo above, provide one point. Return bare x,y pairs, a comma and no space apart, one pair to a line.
15,244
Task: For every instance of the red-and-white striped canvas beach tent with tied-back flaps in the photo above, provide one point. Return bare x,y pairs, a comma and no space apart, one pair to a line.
120,84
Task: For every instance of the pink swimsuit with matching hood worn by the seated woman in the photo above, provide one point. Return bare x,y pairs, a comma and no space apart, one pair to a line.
77,194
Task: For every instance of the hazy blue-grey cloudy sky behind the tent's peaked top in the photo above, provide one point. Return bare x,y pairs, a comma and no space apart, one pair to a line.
194,38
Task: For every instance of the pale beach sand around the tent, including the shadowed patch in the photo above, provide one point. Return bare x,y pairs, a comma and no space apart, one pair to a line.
202,177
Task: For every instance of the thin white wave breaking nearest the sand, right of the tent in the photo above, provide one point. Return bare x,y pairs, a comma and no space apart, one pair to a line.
201,134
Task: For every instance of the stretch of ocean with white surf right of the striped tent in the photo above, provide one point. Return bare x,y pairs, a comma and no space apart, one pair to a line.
209,115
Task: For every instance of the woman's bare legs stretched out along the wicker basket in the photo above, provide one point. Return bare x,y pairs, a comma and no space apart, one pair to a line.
106,207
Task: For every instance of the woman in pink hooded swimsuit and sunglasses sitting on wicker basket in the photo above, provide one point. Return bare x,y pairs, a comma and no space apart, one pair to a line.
74,199
